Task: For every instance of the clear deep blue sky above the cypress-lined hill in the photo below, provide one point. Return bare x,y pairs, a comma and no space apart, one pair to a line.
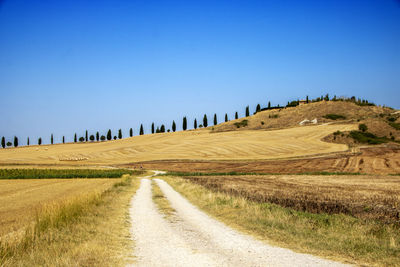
68,66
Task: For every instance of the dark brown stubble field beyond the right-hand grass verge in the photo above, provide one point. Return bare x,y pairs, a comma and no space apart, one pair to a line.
365,197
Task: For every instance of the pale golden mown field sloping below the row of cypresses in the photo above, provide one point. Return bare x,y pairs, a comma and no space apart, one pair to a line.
200,145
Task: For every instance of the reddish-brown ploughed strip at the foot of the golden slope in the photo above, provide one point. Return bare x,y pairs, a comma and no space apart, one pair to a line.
372,160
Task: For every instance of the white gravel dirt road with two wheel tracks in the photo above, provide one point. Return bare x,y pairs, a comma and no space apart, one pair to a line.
195,239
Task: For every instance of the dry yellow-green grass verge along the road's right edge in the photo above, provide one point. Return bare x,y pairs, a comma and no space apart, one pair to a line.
339,237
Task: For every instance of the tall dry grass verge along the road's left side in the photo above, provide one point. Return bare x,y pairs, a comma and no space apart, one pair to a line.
89,230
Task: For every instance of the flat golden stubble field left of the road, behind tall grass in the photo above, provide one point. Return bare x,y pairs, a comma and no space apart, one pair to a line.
21,199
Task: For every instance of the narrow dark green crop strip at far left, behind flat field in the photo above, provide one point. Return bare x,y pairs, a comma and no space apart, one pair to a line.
63,173
